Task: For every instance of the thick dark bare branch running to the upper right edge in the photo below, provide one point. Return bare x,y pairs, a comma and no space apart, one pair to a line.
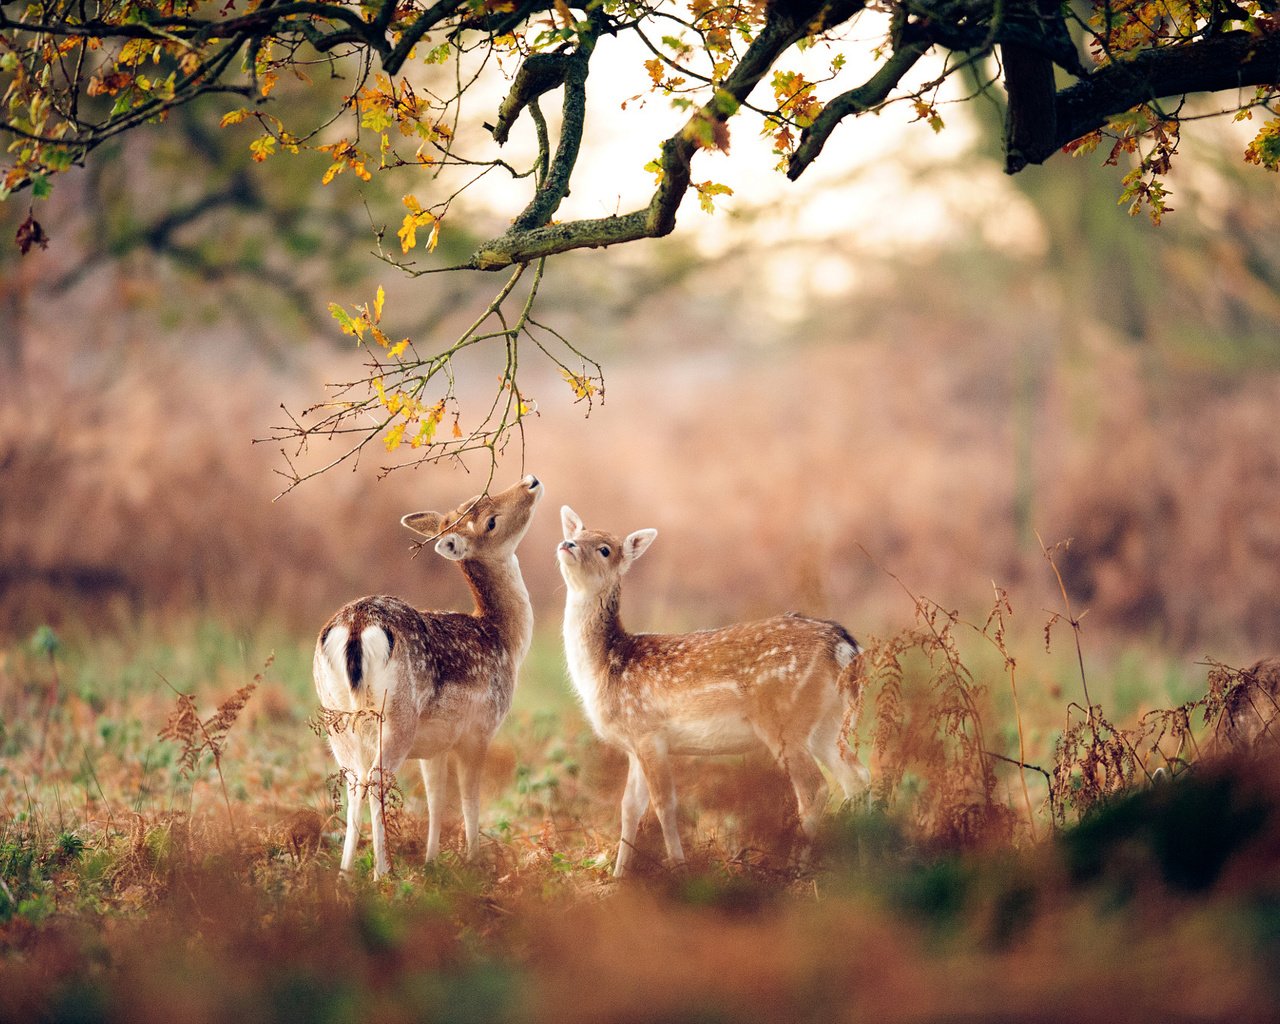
1229,62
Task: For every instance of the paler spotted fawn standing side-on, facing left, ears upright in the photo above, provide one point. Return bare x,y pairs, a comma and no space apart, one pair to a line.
787,683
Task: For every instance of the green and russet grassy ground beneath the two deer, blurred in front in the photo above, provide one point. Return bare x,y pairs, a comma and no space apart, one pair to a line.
130,892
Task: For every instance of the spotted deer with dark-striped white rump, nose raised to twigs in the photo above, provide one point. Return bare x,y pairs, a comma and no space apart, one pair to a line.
400,684
